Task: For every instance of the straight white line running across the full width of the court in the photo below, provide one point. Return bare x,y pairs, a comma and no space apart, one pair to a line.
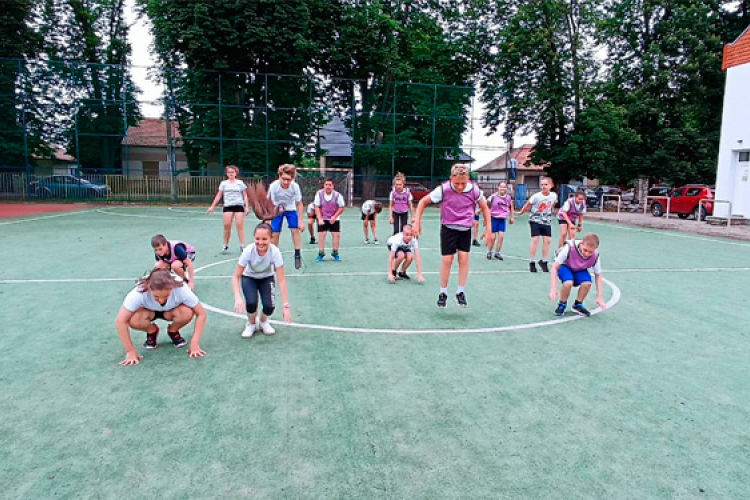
380,273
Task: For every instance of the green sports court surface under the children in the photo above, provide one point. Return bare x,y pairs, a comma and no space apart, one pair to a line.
381,395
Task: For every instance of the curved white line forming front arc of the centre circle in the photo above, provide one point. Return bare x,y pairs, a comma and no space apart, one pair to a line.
616,295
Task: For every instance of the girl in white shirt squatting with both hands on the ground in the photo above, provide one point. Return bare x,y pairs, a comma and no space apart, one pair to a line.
160,296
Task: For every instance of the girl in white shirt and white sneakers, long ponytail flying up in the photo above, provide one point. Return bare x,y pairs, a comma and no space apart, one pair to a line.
257,270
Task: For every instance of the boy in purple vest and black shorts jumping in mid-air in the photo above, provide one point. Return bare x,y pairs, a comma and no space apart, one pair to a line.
458,198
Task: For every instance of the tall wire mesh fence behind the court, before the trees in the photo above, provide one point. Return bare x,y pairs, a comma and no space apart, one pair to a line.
90,120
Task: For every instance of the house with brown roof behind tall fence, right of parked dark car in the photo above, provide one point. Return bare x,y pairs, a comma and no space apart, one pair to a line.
152,148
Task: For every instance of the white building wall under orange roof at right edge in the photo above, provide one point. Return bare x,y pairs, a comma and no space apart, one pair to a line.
735,138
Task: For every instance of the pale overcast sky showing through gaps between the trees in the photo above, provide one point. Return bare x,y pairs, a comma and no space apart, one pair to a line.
481,147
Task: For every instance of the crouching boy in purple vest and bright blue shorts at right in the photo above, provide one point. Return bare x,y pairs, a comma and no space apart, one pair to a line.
572,264
